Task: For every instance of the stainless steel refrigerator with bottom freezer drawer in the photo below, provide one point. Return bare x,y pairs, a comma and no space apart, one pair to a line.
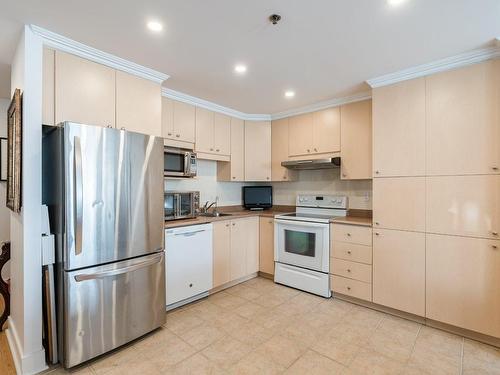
104,189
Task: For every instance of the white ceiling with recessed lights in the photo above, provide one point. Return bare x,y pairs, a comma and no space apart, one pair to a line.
322,49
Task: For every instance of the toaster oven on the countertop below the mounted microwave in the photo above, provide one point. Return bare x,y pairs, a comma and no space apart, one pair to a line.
181,204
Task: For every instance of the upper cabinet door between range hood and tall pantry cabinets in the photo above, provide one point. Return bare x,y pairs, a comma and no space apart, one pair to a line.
356,140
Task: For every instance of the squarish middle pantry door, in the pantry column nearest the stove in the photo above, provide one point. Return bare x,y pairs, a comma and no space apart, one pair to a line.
399,203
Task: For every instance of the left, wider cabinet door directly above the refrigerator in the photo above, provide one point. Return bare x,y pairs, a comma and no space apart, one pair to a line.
85,91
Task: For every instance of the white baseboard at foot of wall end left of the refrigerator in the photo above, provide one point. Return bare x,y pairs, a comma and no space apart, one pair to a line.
33,363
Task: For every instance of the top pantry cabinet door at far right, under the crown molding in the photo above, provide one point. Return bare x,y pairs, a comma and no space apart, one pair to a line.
463,122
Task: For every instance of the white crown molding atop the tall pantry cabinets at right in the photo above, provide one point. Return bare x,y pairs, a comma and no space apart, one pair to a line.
453,62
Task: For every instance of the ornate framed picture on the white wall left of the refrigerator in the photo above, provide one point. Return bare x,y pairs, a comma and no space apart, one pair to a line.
14,152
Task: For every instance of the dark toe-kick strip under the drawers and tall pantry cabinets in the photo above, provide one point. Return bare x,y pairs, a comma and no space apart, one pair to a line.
490,340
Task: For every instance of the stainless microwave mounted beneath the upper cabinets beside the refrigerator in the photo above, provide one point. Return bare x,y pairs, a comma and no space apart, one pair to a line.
179,162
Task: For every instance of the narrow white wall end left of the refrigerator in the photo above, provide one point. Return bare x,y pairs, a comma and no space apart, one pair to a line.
25,321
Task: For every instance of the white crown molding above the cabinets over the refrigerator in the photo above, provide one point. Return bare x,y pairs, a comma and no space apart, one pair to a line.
62,43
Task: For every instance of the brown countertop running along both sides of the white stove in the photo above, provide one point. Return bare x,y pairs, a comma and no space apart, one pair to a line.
238,213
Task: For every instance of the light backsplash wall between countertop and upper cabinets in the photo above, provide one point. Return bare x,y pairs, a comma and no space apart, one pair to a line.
325,181
